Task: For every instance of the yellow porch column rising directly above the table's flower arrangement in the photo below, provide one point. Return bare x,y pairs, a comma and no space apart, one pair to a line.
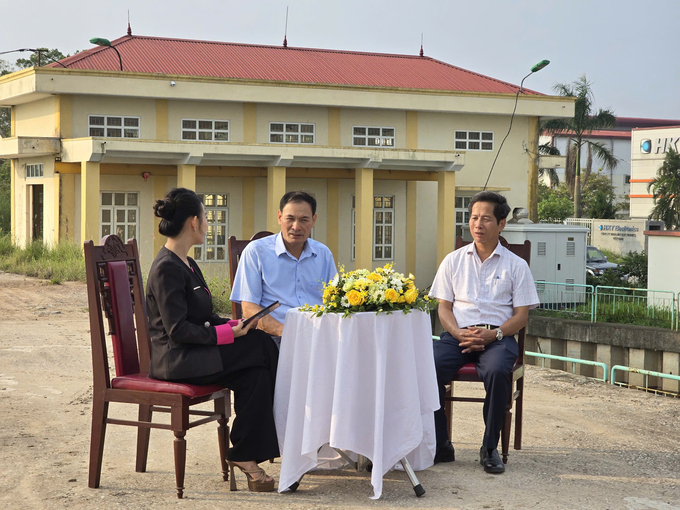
363,218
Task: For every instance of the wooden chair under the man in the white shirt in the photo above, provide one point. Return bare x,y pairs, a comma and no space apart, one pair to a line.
469,373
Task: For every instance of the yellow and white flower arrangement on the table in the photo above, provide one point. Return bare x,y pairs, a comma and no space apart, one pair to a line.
382,290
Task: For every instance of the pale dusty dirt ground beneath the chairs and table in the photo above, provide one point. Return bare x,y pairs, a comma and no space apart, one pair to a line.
586,444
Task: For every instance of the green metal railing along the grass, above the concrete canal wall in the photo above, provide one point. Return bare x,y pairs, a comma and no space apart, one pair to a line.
622,305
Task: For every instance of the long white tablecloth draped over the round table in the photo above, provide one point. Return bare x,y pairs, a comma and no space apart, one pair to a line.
364,383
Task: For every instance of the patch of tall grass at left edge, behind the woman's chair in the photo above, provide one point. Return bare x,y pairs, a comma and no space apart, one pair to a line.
65,262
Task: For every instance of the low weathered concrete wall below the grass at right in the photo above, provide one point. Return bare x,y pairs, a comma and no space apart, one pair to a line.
652,349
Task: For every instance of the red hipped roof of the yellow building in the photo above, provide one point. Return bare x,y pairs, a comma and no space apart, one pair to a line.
143,54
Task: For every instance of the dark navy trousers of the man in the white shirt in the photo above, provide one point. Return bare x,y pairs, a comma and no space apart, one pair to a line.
494,365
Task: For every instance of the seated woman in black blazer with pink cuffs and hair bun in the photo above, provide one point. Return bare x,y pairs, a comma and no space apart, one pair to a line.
193,345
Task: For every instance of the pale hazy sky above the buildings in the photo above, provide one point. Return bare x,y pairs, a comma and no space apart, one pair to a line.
627,49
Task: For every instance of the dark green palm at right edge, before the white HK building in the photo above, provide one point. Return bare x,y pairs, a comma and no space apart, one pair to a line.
666,190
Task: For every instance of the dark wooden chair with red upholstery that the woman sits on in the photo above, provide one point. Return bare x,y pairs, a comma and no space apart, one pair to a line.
114,283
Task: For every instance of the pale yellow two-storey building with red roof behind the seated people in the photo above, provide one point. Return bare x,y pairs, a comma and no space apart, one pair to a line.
391,146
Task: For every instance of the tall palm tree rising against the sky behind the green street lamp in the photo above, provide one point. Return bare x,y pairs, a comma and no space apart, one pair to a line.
578,128
